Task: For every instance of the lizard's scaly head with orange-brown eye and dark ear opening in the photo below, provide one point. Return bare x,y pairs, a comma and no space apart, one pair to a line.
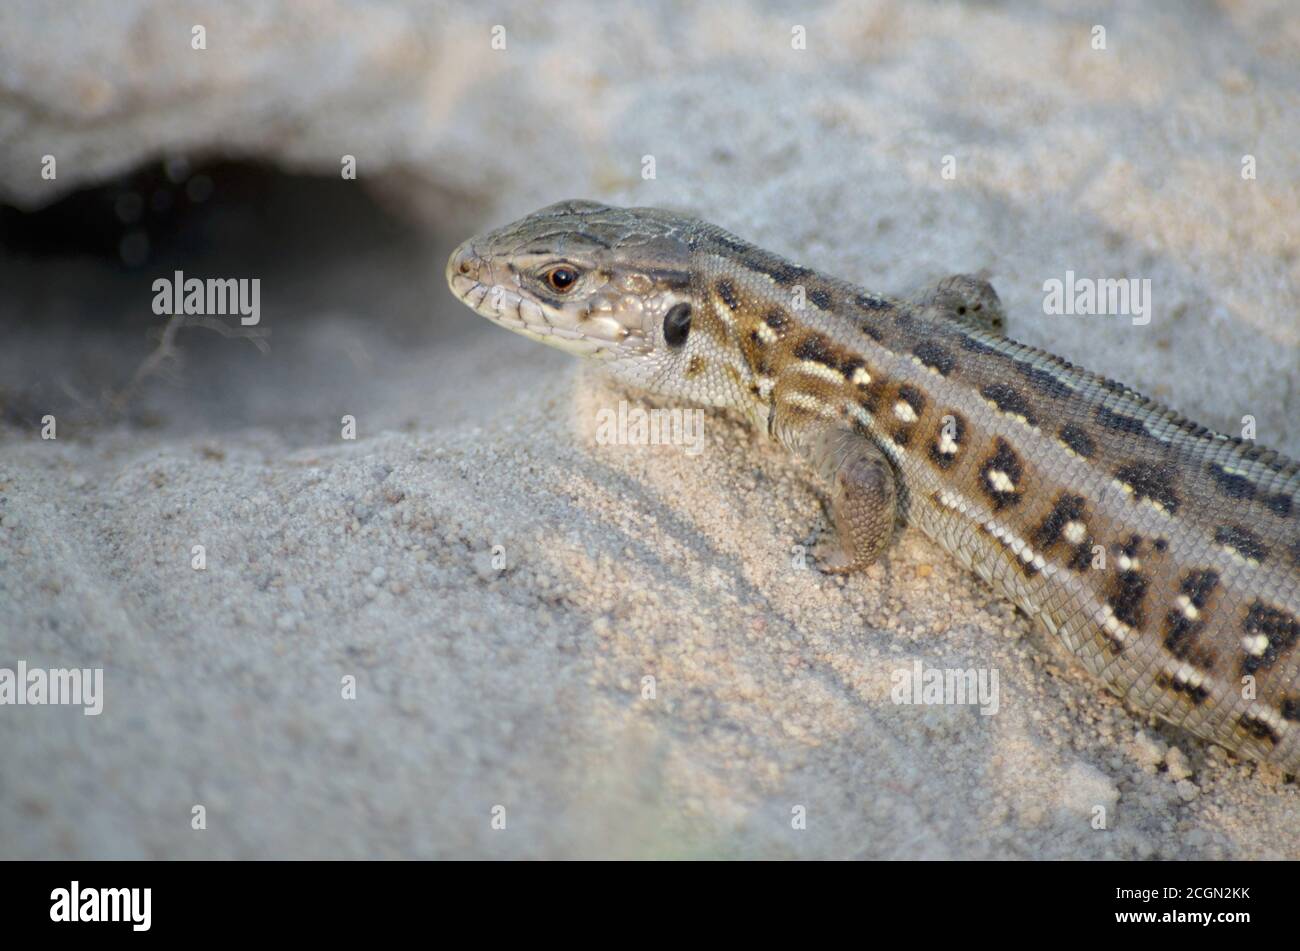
605,283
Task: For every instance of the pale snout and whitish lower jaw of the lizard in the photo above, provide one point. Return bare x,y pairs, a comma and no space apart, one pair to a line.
473,281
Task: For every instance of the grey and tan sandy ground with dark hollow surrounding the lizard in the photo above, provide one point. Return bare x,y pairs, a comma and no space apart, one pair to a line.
140,138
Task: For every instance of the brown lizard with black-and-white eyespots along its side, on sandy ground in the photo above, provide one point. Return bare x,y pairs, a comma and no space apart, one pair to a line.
1163,555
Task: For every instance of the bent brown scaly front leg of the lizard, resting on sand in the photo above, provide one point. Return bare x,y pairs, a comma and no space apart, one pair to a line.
863,502
